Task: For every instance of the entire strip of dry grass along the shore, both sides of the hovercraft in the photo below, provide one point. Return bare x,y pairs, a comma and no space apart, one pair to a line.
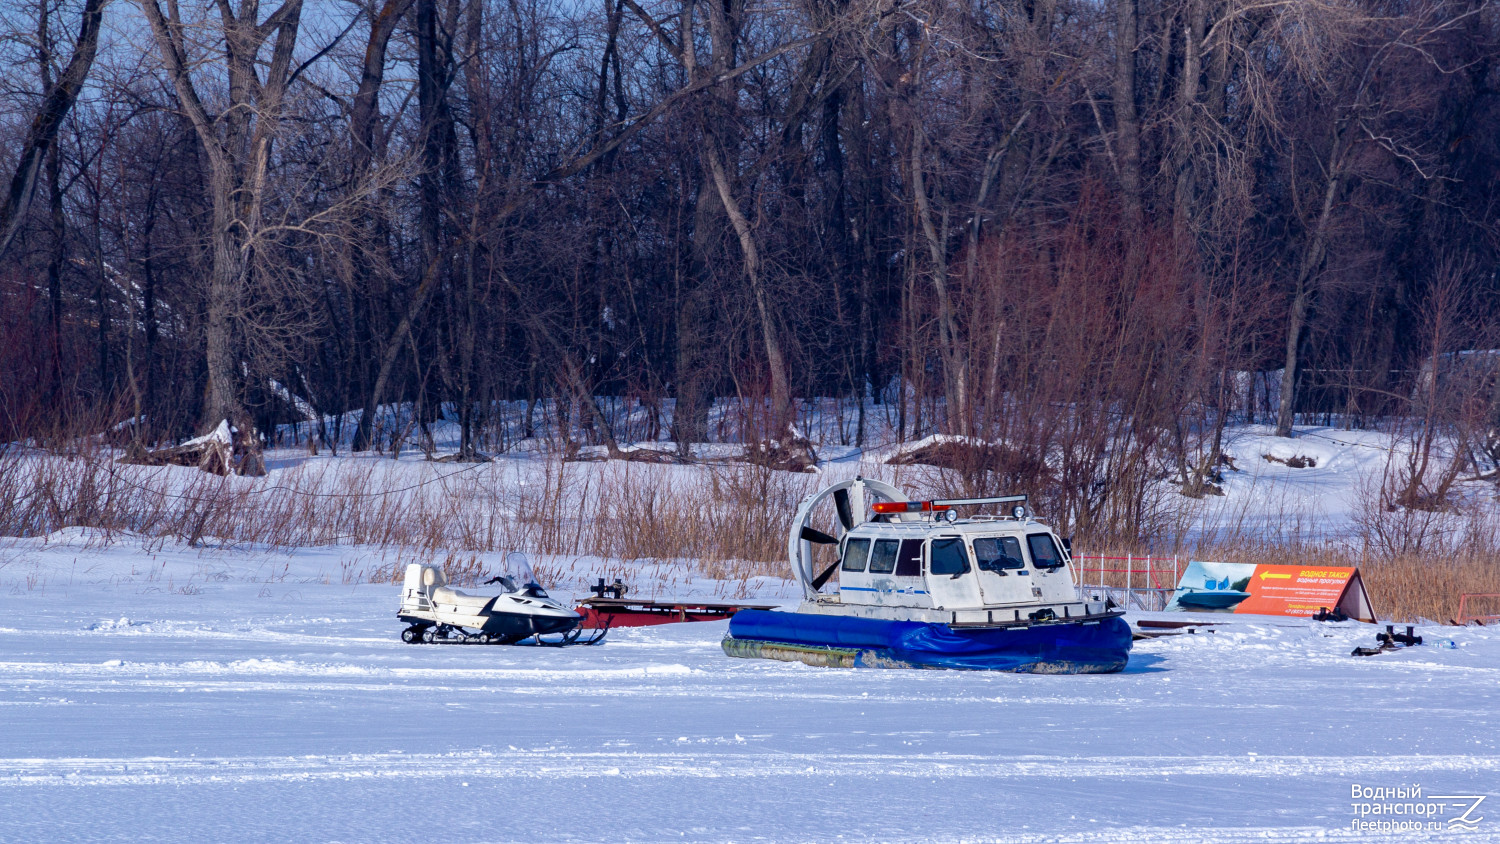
727,522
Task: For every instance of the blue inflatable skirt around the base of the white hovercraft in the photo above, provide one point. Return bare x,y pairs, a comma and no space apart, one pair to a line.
1052,648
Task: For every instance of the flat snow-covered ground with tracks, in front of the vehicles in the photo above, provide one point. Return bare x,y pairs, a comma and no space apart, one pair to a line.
184,695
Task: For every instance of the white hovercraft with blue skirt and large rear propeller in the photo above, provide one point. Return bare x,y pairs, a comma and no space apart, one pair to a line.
922,588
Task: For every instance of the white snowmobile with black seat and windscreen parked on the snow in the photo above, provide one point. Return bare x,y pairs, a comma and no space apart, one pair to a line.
440,615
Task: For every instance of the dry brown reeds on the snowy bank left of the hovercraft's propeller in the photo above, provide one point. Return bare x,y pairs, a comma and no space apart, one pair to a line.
728,518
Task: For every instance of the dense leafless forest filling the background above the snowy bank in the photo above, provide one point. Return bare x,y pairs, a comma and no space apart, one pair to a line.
1088,235
